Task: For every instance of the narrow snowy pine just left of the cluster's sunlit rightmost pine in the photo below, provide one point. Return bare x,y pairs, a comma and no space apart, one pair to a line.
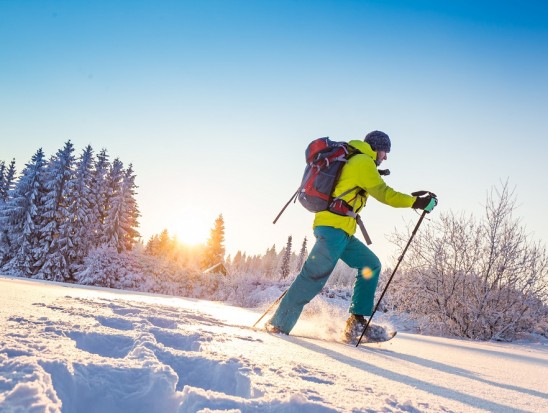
99,197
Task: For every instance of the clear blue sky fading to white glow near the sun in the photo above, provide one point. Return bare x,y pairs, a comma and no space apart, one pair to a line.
214,102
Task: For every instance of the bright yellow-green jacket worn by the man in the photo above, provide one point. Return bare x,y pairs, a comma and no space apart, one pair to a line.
361,171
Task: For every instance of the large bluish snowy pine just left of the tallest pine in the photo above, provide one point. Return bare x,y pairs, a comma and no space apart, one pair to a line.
20,218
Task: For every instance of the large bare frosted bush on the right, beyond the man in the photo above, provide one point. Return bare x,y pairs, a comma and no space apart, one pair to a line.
476,279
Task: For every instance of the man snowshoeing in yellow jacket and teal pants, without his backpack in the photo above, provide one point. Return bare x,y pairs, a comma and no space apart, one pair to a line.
335,240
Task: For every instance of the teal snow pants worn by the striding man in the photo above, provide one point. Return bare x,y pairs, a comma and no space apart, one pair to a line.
331,245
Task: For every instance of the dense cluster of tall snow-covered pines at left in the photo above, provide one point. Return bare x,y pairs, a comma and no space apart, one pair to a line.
59,209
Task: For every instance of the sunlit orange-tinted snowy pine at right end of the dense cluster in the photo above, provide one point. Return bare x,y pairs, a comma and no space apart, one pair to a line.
123,213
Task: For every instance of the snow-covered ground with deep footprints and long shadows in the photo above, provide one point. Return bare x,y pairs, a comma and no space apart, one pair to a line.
73,349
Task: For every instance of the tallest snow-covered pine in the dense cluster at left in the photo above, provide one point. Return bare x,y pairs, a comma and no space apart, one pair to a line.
55,243
